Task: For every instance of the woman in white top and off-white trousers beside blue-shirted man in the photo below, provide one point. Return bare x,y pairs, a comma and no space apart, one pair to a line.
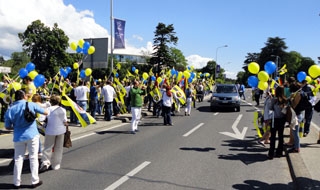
54,135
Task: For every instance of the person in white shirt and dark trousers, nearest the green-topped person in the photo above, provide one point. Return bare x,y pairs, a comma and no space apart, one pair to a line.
108,93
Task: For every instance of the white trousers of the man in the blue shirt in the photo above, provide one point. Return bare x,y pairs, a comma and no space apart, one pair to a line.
19,150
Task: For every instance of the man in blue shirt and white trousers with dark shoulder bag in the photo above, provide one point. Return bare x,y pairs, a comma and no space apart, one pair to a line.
25,136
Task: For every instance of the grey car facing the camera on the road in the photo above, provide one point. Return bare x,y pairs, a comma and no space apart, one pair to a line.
225,96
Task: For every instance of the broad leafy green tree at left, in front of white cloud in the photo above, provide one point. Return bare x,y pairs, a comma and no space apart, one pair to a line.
46,47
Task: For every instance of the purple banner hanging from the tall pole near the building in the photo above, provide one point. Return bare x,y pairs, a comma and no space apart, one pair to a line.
119,26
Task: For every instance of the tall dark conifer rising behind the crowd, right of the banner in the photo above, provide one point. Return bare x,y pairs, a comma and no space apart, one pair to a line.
164,35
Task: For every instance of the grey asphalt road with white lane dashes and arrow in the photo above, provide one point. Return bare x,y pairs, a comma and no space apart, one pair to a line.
201,151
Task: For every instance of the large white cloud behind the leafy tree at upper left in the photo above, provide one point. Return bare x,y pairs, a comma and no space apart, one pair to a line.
16,15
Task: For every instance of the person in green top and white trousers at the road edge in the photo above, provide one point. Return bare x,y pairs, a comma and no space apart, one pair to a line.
136,103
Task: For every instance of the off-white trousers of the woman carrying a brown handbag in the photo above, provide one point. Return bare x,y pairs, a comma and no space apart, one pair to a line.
53,157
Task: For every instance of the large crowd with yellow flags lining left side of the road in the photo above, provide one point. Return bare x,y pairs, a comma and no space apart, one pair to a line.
108,98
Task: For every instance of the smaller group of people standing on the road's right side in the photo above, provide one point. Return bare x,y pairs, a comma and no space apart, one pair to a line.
289,105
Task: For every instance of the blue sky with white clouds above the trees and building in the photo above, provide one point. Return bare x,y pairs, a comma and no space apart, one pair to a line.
203,26
